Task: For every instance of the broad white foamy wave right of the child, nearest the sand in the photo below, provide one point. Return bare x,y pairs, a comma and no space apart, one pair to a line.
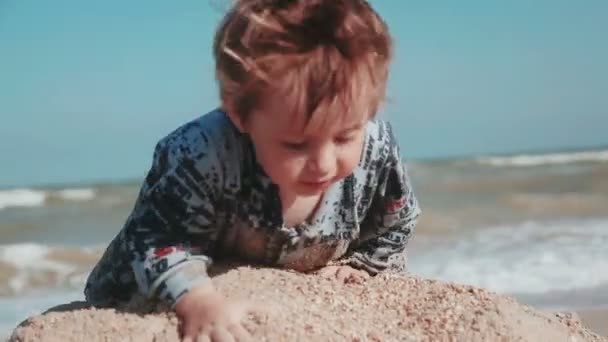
532,257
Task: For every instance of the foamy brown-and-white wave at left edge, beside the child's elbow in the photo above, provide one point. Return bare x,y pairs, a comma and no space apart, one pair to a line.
30,266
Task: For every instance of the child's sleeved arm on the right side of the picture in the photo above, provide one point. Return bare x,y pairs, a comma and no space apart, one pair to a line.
391,218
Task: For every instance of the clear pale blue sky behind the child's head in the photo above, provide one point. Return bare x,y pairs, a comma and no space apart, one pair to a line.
86,88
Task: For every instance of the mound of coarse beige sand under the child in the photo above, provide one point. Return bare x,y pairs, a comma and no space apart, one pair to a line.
300,307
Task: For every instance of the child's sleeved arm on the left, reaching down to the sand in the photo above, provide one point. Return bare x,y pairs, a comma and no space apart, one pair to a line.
172,223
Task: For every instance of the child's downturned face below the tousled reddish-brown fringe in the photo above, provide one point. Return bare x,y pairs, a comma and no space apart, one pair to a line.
305,159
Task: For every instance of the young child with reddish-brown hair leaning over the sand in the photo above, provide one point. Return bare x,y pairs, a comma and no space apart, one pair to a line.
292,171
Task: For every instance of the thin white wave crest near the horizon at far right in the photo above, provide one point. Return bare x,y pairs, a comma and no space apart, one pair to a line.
546,159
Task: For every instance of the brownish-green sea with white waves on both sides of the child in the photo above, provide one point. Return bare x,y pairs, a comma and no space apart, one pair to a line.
534,226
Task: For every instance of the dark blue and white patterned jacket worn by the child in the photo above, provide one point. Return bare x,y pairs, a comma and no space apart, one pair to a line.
205,197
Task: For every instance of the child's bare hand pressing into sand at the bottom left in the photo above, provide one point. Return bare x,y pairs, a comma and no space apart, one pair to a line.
206,315
